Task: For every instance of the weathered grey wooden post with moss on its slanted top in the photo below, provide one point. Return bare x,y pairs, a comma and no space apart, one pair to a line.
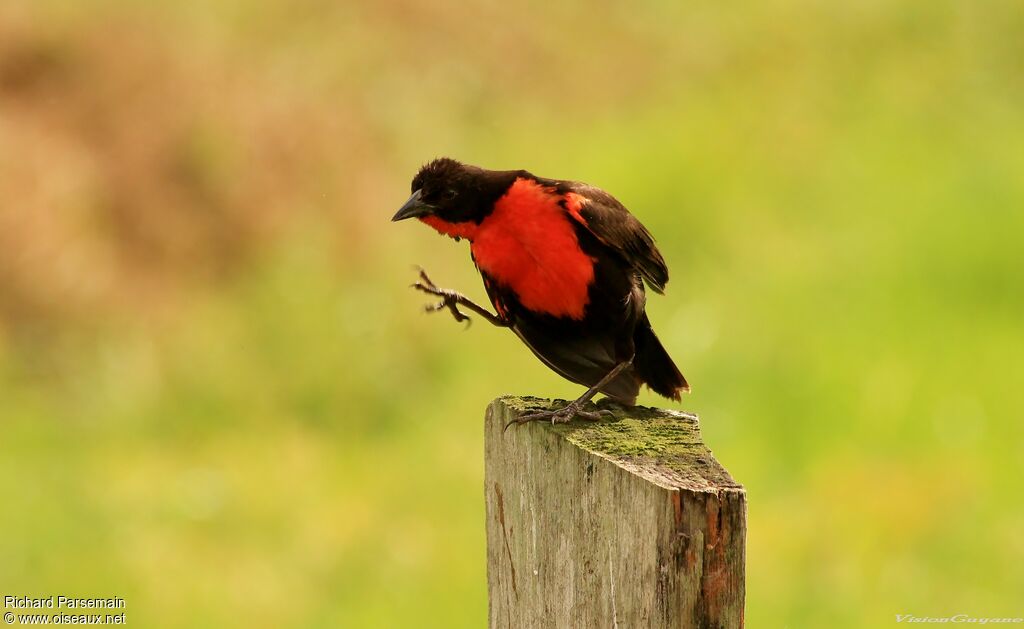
625,523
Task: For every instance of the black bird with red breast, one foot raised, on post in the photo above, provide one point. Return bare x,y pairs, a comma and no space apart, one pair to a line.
565,267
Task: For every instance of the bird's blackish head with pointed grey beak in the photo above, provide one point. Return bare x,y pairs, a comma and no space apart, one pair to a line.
455,193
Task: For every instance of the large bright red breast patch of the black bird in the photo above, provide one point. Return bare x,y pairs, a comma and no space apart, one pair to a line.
530,245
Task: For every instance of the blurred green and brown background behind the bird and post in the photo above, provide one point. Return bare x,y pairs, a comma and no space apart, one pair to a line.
220,400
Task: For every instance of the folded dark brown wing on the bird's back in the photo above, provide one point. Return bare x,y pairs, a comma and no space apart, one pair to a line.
612,224
